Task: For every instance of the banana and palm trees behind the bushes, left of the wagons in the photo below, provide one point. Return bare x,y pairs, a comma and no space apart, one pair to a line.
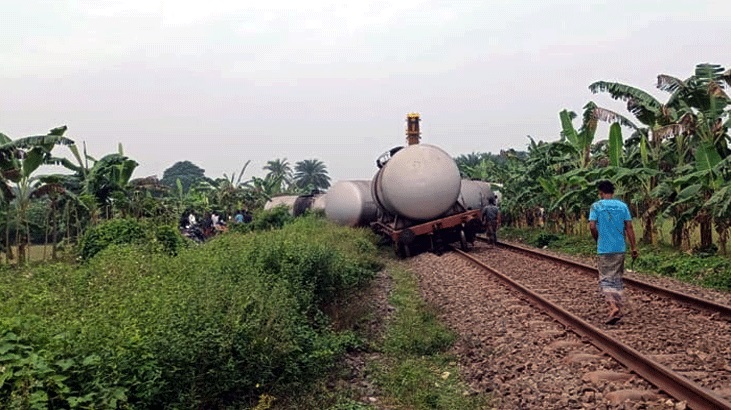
57,208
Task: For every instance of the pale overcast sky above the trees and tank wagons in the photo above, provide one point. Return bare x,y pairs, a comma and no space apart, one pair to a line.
220,82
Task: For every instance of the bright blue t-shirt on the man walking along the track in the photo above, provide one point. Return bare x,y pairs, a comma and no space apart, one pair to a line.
610,215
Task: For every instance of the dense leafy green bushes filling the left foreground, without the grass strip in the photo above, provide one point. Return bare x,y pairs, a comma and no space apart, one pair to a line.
215,324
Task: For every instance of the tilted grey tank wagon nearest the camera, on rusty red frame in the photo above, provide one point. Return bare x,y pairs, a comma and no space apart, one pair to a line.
420,198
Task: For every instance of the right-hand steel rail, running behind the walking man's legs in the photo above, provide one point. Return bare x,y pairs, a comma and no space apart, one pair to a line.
714,307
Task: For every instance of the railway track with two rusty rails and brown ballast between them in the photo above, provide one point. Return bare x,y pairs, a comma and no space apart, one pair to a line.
639,344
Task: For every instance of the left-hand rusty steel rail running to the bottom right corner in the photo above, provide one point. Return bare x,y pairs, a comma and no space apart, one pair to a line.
664,378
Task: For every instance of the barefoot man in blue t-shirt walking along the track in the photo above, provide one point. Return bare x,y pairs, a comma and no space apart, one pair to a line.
609,222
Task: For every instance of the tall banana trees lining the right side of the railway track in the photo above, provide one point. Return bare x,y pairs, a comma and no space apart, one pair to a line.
674,165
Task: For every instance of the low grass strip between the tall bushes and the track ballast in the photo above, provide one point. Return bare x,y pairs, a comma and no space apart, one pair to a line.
409,363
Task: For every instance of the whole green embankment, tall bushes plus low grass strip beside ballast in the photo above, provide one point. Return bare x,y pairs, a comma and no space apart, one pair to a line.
248,320
